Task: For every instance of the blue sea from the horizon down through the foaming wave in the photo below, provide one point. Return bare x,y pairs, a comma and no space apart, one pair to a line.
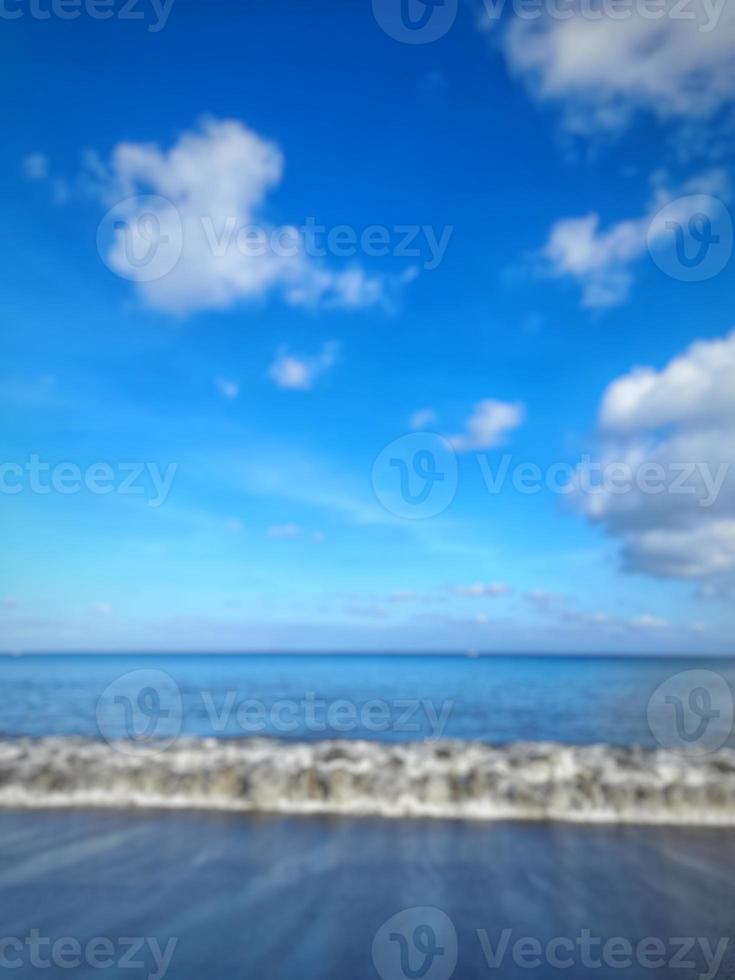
491,738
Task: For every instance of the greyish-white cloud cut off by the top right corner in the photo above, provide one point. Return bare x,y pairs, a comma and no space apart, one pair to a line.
602,71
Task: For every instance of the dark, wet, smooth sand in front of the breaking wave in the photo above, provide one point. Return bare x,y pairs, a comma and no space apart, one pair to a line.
288,897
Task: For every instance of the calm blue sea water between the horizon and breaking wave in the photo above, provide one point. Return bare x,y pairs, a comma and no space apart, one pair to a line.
496,699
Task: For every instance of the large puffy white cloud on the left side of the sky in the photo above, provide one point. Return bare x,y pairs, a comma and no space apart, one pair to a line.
210,190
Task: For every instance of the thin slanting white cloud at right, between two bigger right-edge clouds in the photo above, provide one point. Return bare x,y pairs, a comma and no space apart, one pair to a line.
602,259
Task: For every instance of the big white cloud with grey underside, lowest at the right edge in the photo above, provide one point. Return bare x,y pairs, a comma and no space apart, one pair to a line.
679,423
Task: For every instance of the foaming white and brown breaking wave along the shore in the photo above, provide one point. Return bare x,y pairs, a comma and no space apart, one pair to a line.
525,781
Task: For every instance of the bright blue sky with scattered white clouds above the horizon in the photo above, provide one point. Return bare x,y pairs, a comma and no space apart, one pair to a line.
267,386
